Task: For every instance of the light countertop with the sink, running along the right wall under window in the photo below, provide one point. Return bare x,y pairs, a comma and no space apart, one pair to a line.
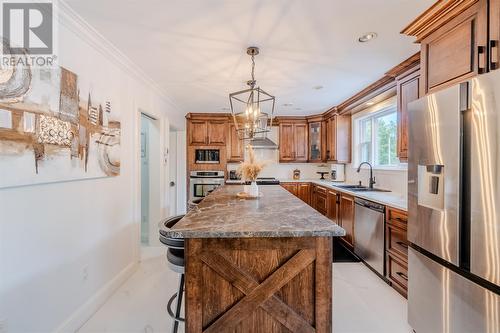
390,199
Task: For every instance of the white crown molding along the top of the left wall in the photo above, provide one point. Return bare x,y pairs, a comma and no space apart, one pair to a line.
71,20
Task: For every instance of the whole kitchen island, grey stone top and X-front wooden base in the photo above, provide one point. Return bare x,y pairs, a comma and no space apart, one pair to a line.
261,265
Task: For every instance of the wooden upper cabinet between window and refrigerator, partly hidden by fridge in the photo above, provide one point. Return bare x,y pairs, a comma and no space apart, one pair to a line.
407,87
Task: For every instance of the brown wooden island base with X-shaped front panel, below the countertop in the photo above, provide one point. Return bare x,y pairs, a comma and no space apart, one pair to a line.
259,284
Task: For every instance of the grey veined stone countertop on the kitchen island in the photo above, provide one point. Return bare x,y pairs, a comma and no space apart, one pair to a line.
277,213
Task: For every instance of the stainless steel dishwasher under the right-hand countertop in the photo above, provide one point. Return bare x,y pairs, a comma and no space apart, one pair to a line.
369,233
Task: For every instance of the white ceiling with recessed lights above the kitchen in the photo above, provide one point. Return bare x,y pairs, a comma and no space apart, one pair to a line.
195,50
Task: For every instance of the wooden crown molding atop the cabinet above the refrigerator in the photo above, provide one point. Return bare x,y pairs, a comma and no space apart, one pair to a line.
436,16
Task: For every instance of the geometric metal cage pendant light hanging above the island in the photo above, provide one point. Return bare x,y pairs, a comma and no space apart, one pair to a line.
253,108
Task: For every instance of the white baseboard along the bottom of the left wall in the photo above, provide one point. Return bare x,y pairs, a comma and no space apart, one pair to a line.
84,312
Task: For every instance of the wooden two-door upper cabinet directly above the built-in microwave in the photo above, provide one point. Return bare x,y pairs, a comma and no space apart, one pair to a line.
207,132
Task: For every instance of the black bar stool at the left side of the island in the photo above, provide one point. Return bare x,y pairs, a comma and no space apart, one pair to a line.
175,259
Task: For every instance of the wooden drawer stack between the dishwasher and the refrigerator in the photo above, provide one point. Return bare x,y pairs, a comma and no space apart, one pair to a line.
396,249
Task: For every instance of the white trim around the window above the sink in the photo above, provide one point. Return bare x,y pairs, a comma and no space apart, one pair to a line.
380,108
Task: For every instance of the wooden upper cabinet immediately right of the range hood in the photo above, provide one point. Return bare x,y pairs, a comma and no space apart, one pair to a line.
293,144
